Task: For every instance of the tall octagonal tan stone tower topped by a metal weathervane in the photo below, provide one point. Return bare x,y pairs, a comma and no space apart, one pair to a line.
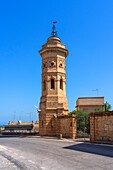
53,102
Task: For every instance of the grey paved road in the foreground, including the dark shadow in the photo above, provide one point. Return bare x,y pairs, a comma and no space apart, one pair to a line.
51,154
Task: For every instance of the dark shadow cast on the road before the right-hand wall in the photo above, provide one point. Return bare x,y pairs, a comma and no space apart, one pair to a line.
97,149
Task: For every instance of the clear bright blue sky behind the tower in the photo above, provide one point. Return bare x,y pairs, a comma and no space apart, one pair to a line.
84,26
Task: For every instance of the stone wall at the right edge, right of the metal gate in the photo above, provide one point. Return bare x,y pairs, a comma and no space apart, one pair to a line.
101,127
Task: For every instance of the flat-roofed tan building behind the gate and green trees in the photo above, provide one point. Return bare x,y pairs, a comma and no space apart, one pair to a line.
90,104
